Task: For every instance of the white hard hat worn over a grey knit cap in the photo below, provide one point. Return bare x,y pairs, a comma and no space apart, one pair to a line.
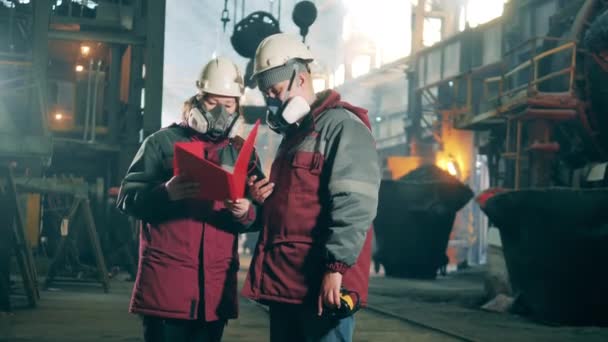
277,50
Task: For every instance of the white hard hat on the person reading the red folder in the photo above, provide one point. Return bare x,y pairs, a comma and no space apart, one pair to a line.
221,77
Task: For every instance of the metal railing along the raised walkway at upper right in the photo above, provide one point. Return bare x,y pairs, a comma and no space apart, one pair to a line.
497,87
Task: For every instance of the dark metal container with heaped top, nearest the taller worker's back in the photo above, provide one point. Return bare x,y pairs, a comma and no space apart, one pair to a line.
414,222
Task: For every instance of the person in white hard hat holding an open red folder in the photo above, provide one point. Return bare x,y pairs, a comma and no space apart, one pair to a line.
187,277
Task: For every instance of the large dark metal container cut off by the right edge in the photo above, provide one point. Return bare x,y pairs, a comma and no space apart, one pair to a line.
555,243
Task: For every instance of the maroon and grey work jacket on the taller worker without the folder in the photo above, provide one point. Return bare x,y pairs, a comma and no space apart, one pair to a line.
319,216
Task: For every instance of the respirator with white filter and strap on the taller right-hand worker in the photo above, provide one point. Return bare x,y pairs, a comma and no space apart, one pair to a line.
282,113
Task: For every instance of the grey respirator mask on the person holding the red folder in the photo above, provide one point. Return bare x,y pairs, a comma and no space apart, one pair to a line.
216,124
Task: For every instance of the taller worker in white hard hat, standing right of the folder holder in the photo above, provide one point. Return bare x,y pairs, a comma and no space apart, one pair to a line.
312,261
